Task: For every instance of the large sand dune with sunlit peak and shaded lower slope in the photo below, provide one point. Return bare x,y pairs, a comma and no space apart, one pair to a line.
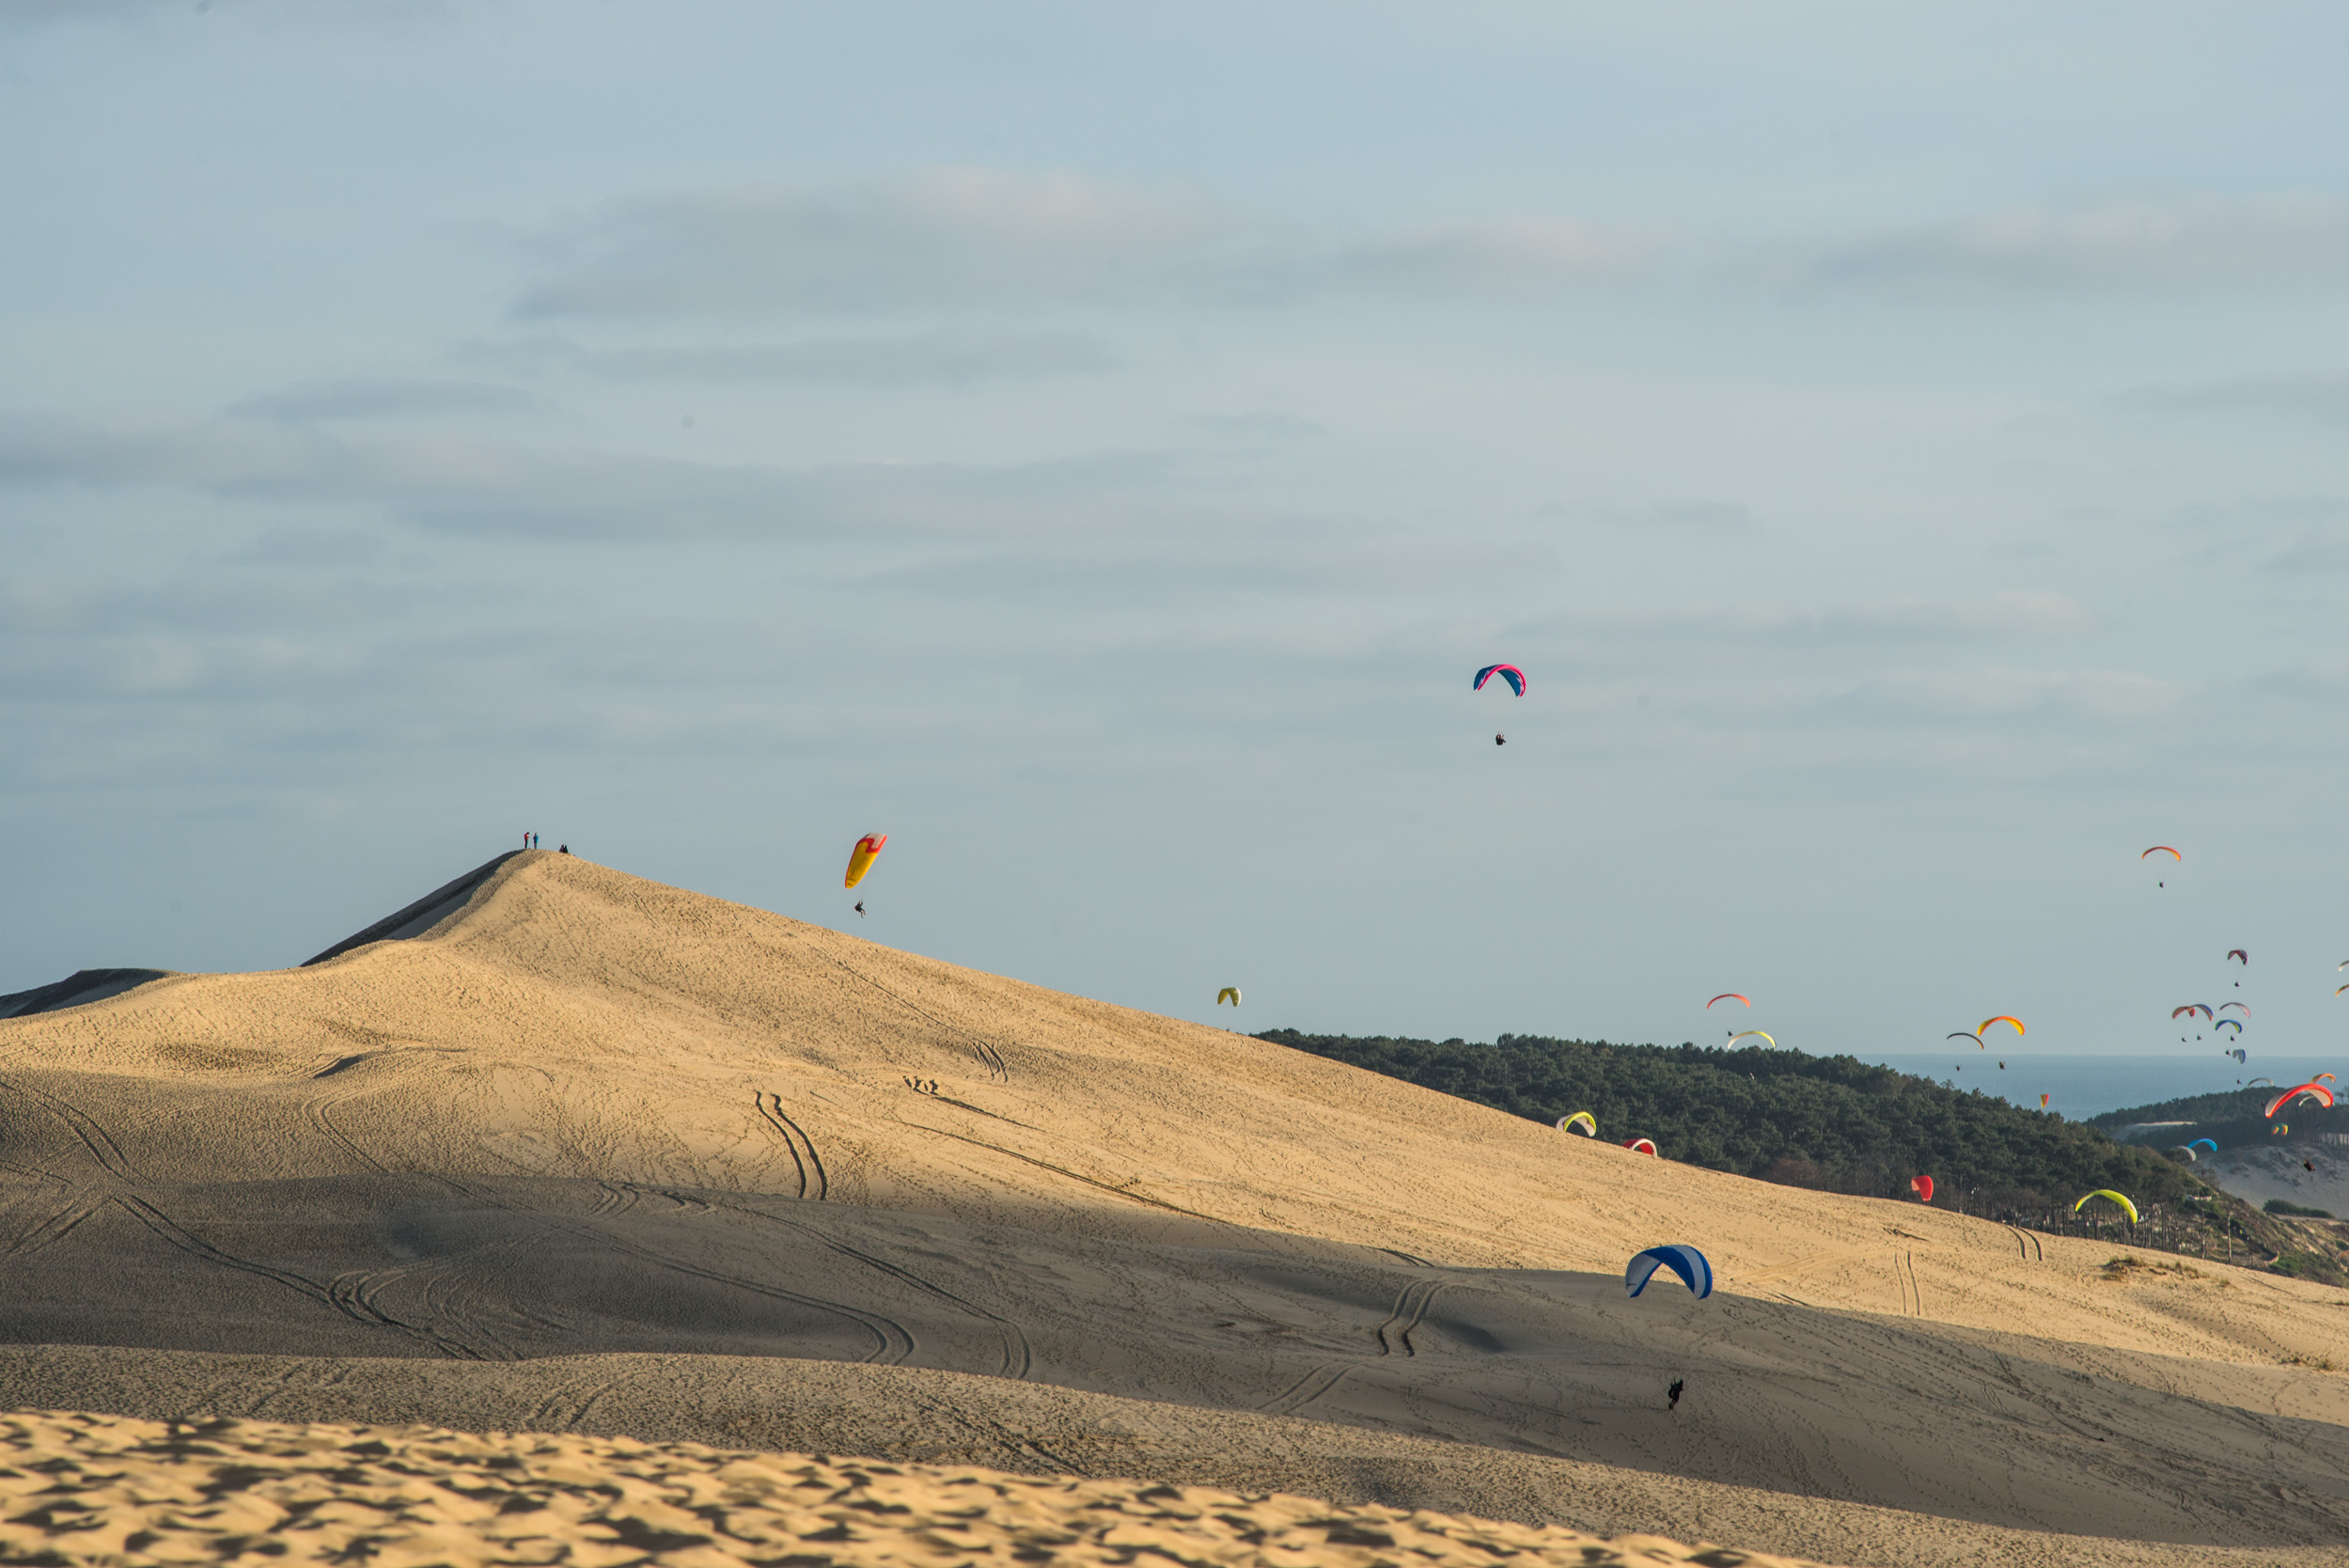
593,1118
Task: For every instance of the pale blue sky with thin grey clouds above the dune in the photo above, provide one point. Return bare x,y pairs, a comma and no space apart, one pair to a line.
1904,448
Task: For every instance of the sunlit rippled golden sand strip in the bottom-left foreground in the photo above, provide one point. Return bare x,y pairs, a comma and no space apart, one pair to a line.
105,1489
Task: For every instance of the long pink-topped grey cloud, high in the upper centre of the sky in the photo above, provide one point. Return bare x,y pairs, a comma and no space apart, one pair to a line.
955,239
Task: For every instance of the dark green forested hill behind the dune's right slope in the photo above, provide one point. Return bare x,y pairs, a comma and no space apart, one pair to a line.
1824,1123
